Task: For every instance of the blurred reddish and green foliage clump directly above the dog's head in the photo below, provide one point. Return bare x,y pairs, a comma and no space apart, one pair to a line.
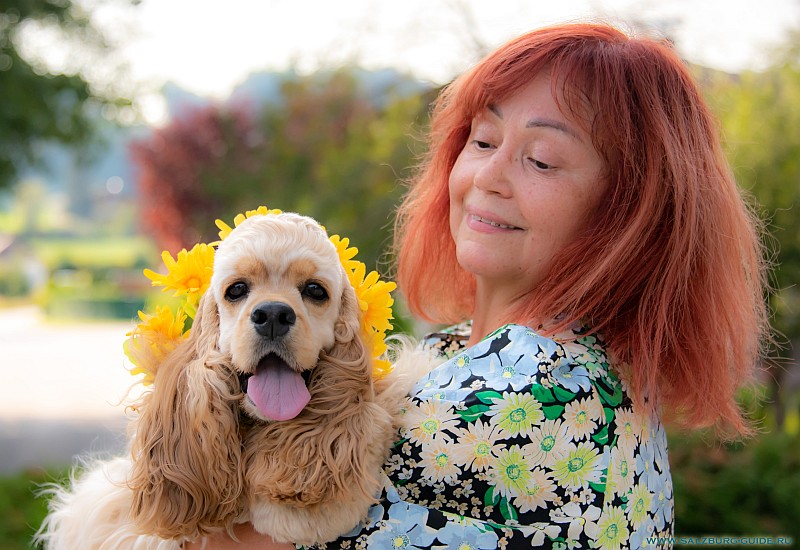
326,148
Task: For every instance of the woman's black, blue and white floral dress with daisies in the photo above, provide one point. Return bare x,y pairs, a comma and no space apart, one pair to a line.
522,441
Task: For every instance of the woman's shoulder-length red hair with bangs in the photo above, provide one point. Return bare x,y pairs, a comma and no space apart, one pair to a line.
669,268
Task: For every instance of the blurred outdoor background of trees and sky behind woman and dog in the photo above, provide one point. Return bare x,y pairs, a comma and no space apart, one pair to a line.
127,127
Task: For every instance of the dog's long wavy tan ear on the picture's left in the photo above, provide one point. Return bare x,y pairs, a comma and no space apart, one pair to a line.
186,477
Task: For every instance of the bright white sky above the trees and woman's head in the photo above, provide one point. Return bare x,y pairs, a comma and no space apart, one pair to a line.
207,47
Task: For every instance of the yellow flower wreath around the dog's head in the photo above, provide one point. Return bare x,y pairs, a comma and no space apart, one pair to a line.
189,276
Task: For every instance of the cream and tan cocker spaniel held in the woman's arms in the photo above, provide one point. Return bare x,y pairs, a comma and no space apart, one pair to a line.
267,413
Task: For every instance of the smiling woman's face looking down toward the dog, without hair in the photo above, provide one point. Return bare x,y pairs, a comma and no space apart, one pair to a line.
525,184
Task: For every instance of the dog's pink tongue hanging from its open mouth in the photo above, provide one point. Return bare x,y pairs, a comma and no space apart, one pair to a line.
277,390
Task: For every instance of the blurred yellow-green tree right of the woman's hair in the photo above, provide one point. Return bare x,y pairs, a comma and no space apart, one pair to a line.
760,116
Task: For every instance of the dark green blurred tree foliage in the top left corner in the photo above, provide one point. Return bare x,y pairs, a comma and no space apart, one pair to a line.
40,104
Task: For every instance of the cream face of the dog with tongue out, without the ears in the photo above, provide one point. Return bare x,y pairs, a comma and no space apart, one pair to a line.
280,290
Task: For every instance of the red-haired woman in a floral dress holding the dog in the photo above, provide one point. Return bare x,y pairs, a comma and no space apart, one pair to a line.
575,205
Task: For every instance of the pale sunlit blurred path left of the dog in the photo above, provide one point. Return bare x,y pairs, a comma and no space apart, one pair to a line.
61,390
